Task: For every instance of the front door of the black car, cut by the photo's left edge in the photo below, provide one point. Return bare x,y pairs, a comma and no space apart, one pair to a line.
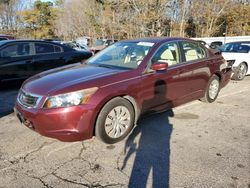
15,61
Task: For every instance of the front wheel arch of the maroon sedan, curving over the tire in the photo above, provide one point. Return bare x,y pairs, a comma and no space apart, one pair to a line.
128,98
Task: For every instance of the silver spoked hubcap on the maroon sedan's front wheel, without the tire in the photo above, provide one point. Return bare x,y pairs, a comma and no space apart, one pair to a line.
117,122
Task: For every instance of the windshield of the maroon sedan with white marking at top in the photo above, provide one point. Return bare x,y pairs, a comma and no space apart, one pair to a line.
126,55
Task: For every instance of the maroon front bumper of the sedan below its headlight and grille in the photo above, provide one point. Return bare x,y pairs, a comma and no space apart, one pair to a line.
65,124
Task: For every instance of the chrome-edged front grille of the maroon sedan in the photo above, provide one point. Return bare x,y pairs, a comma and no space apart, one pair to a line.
28,100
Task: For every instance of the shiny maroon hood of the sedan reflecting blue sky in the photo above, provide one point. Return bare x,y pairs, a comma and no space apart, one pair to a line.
67,79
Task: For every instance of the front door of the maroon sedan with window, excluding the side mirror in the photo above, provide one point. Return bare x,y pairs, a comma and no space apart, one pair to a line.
165,89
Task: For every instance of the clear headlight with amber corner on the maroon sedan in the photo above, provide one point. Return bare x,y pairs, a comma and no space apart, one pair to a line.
70,99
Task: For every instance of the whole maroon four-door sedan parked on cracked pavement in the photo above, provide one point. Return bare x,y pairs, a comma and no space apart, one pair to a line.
105,96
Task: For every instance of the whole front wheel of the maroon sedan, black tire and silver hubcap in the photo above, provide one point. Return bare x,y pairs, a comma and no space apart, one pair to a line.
115,121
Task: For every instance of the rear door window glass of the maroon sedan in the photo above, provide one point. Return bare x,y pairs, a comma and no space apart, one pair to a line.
193,51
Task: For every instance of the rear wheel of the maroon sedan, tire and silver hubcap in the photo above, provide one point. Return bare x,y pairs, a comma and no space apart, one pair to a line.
212,91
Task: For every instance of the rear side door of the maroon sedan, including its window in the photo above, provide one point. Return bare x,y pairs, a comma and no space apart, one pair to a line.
197,63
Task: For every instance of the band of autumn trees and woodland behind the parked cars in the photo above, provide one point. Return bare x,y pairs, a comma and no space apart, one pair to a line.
124,19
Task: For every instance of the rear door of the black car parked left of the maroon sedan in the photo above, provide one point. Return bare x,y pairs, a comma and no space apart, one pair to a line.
47,56
